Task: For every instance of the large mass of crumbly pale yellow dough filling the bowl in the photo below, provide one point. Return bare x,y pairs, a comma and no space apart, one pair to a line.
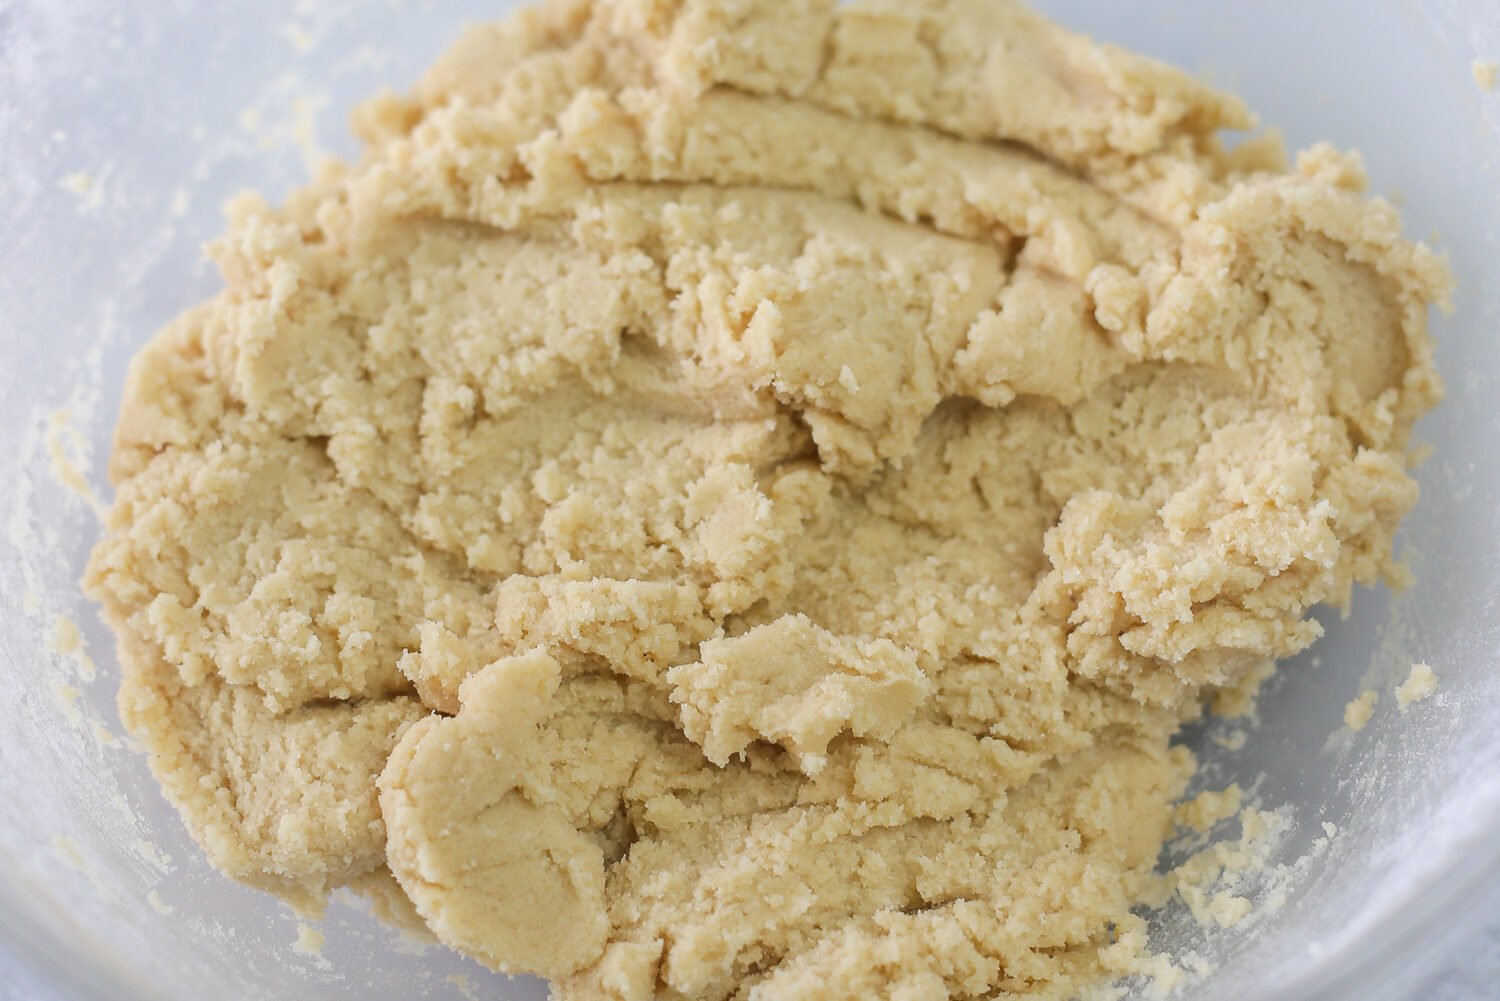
736,497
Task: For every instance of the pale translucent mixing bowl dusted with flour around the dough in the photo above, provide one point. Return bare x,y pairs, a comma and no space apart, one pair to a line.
125,127
